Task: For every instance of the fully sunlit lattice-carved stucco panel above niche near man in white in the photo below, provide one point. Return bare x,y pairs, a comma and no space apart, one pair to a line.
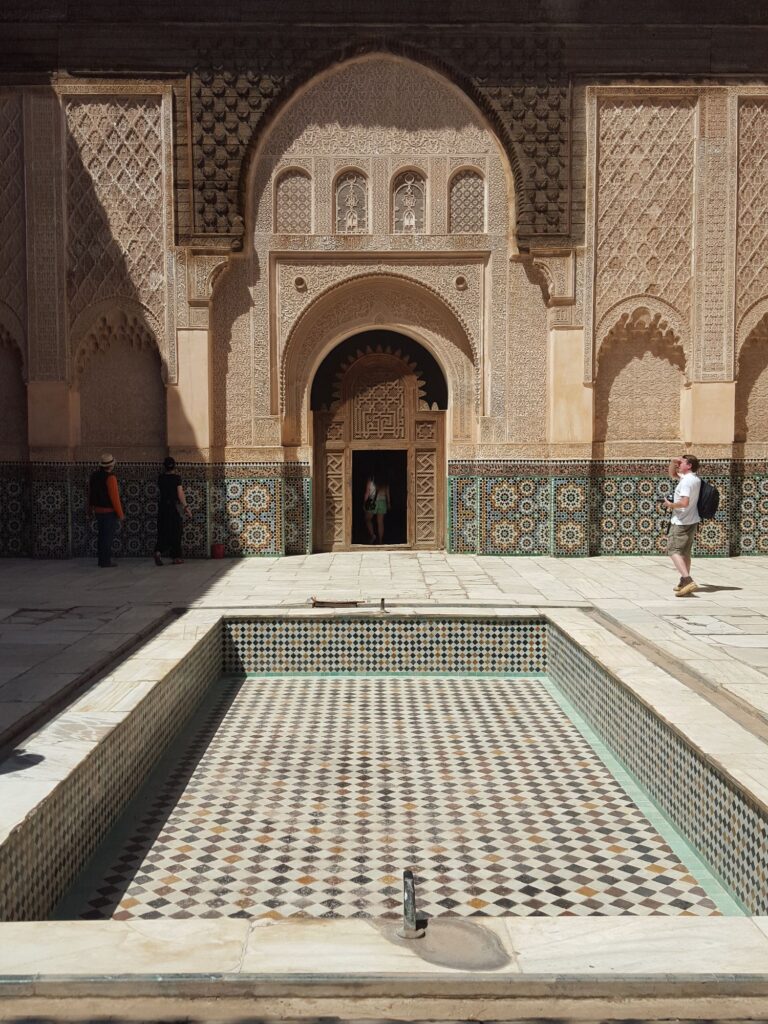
641,191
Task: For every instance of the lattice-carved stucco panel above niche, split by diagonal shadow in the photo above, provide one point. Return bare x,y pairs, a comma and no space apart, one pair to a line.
118,191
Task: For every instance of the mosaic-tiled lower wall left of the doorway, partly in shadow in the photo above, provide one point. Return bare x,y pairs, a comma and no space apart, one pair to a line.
252,509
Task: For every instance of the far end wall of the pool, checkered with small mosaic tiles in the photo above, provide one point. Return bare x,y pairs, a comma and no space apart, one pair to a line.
394,645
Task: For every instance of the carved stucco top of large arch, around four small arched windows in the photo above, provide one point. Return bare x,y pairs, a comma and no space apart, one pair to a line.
374,114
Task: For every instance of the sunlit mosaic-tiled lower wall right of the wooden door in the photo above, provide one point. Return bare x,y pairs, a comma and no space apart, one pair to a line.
572,509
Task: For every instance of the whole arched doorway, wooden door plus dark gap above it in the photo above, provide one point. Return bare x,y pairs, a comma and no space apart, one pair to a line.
378,404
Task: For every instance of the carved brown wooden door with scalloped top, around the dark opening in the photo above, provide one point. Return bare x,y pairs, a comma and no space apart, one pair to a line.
377,409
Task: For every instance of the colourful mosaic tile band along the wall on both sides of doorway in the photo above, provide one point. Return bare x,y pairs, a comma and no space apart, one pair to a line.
565,509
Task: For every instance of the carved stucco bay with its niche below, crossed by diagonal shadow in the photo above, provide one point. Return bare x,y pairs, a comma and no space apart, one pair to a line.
118,202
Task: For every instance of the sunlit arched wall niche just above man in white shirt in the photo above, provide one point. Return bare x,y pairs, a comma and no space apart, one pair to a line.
641,375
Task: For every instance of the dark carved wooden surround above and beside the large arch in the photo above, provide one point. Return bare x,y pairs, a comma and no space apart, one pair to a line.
521,80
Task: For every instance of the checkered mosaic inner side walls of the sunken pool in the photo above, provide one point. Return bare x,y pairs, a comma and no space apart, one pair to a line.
74,805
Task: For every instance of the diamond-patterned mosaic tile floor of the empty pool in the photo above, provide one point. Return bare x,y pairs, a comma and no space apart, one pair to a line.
309,796
